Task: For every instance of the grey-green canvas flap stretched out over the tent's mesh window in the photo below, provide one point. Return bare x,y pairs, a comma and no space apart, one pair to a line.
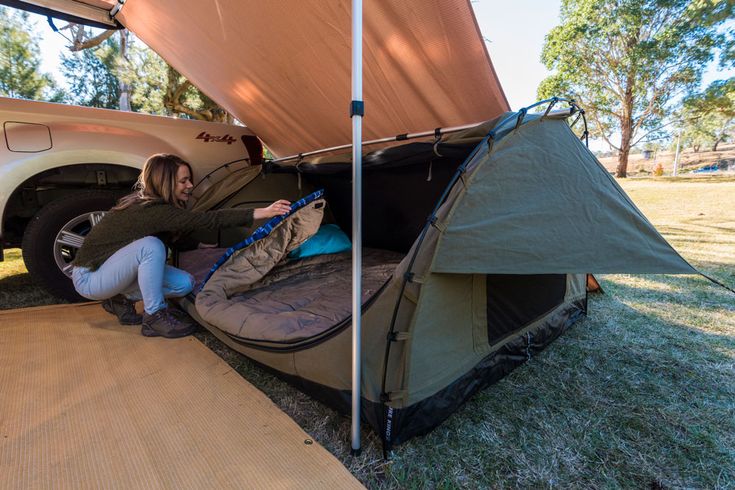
541,203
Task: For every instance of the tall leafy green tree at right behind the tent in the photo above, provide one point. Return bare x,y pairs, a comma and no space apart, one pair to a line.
625,61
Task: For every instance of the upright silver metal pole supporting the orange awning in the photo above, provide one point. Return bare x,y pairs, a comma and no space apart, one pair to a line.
356,113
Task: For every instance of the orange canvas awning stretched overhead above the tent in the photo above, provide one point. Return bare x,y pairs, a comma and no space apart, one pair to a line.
283,68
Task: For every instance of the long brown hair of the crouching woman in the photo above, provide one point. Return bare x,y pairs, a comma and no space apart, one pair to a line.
156,182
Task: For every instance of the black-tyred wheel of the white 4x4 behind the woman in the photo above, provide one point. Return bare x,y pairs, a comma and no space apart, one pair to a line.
56,232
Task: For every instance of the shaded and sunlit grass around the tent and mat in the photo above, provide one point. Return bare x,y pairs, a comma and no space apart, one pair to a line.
639,394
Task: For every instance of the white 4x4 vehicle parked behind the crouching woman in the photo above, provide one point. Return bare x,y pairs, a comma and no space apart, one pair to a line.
62,166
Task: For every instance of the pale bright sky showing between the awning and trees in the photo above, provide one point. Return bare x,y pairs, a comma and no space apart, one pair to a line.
513,31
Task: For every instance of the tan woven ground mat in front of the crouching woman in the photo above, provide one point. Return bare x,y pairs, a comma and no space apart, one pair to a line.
85,402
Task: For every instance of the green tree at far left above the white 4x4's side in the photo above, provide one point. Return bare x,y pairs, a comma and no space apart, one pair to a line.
20,62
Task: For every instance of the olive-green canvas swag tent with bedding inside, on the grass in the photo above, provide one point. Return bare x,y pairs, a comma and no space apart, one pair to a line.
452,302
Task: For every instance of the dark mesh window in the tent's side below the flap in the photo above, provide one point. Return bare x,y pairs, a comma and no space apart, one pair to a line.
514,301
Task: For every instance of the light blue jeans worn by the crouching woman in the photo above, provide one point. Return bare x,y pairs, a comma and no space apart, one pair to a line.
137,271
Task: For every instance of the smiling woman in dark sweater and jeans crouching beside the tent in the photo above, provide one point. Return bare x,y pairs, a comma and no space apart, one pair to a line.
123,258
